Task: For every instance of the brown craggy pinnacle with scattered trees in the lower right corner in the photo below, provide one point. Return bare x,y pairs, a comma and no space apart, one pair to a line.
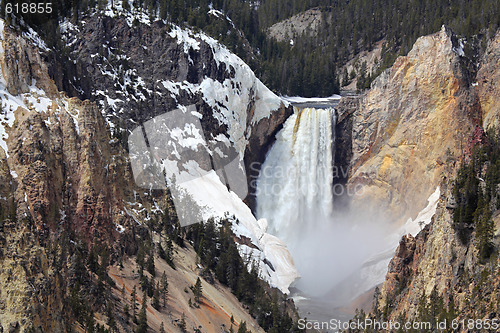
436,268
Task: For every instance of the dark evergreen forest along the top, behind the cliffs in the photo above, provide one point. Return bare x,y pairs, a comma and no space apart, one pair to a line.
309,67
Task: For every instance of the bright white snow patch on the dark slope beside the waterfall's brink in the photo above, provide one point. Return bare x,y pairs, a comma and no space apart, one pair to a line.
229,99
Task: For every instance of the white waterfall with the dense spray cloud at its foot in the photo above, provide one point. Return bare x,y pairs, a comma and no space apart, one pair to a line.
295,195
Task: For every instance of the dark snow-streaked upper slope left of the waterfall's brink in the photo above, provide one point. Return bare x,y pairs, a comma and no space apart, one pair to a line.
203,70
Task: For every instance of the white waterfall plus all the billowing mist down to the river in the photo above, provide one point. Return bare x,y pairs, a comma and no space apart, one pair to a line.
295,193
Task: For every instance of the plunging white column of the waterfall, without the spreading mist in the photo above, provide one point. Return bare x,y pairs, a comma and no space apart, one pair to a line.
294,188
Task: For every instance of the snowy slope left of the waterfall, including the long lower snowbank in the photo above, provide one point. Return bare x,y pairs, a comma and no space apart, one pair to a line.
138,80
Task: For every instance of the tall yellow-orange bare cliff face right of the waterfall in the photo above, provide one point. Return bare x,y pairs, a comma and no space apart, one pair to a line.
416,116
